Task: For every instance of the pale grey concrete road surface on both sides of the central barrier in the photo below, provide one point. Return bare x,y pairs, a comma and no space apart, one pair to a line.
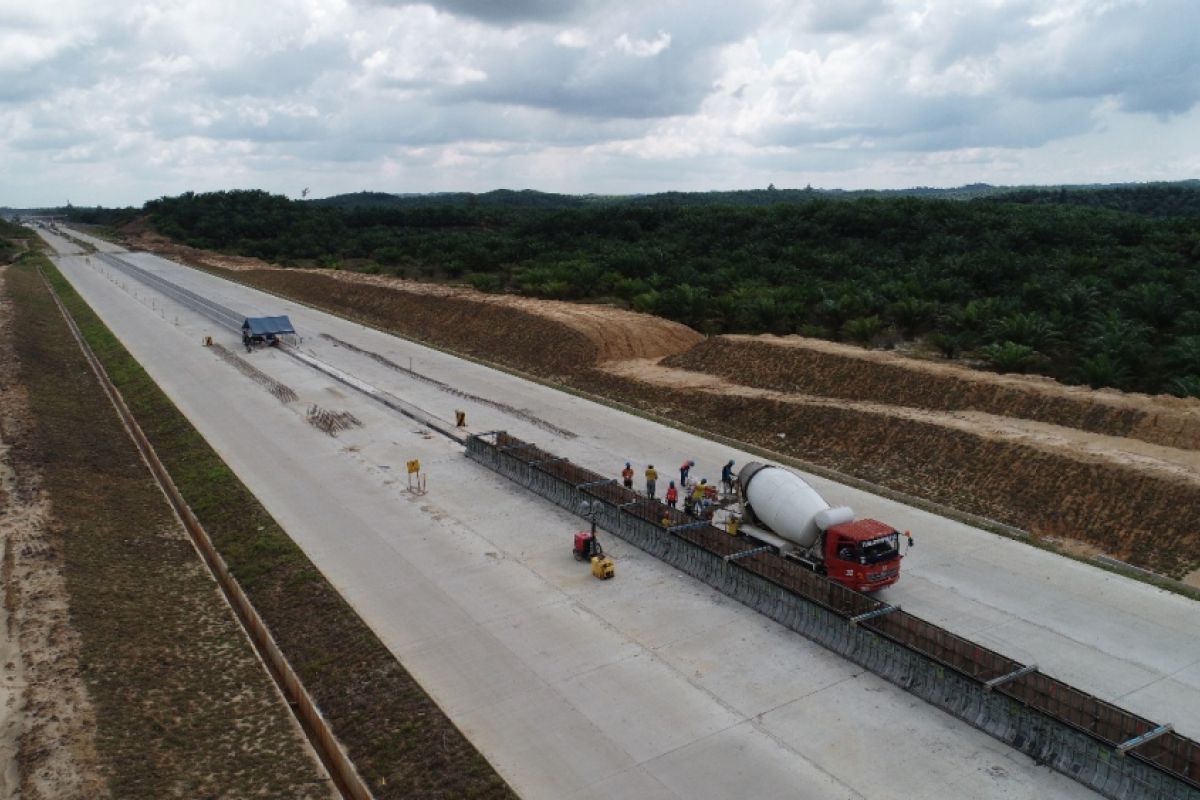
652,684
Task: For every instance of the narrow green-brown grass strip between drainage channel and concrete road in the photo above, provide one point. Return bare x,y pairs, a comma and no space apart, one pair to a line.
399,739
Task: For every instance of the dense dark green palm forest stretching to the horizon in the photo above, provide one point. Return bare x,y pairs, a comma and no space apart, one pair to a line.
1090,286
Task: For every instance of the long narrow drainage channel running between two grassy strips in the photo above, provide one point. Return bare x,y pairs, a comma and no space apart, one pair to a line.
344,773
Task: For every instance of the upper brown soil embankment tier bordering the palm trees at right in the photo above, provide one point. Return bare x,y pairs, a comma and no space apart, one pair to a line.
808,366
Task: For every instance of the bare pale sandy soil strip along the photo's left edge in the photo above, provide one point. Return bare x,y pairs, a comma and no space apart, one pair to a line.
47,723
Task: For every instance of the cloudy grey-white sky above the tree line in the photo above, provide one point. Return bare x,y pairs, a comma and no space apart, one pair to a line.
117,103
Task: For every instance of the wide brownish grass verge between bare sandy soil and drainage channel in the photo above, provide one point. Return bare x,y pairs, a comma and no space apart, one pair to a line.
183,707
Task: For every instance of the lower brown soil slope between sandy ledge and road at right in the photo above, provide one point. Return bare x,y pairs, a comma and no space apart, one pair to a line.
1121,509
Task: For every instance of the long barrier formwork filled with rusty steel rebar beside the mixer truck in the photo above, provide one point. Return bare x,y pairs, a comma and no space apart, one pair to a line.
1118,754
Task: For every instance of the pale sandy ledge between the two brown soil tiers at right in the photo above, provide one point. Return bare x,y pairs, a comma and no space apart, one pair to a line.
1181,465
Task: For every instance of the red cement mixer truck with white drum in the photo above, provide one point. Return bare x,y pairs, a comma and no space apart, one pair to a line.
782,510
